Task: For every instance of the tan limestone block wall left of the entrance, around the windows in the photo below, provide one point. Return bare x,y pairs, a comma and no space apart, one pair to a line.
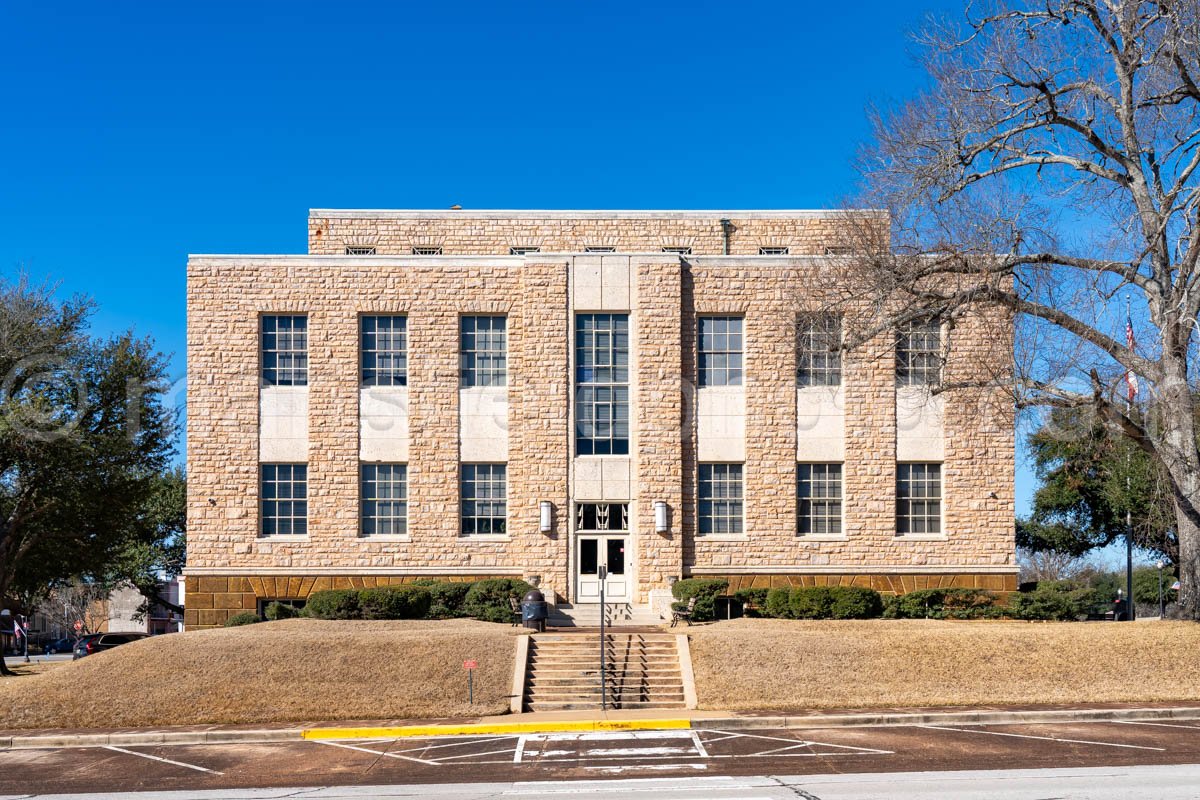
226,298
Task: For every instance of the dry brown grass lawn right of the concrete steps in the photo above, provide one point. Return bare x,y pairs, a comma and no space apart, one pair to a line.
758,664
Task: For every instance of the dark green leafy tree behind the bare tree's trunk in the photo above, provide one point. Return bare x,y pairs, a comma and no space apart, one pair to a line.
1091,479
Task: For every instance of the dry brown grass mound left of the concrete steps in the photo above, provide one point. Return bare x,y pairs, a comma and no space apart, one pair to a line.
295,670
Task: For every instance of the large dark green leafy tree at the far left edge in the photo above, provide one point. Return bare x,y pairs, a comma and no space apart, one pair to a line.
85,438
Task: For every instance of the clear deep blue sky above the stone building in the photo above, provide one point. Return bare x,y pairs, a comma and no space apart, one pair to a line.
135,134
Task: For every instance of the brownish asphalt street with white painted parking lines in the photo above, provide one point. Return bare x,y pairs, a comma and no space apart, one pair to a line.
1123,759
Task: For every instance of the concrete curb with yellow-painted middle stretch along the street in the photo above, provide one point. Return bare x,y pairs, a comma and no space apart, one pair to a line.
277,736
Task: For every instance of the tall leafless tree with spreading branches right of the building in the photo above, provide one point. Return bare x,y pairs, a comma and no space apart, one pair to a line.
1049,173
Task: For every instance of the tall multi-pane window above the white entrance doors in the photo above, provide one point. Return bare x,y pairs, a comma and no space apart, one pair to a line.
602,384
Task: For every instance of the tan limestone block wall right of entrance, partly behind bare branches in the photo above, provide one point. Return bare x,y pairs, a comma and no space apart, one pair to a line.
979,502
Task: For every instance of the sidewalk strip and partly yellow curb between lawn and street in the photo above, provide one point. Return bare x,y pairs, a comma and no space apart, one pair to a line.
578,721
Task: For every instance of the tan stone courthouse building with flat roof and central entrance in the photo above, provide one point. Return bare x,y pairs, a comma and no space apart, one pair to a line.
544,394
